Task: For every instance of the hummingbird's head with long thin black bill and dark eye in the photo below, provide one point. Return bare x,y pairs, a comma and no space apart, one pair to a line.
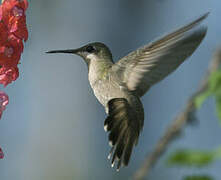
90,52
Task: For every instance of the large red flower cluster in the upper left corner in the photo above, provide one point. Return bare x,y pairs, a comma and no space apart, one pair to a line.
13,31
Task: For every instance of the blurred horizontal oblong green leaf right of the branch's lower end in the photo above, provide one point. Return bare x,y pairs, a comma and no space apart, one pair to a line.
195,158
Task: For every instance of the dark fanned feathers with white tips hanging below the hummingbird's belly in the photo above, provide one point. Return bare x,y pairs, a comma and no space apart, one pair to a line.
124,130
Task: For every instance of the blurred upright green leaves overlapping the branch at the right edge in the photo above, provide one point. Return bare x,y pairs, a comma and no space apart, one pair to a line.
214,89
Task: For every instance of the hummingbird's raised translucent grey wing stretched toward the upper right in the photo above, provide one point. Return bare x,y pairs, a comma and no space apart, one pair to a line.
147,65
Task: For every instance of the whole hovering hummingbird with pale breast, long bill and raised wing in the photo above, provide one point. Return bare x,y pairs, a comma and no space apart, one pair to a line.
119,86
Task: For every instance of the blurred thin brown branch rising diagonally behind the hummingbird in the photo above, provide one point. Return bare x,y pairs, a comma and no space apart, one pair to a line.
178,124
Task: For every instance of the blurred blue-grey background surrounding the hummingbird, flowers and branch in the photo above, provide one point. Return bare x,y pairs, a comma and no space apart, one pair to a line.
53,127
